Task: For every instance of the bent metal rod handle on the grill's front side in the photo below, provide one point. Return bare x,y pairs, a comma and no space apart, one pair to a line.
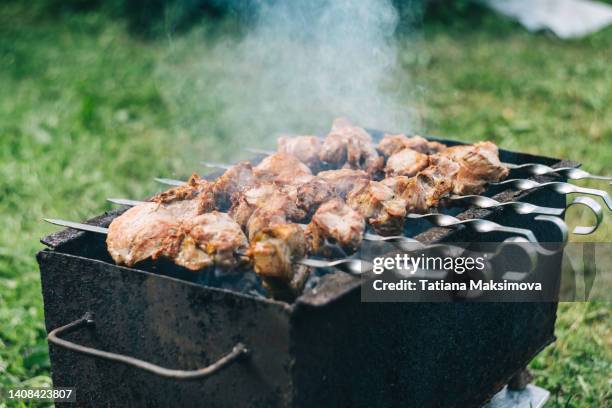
239,351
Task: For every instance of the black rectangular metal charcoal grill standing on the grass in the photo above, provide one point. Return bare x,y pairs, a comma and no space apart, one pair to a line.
325,349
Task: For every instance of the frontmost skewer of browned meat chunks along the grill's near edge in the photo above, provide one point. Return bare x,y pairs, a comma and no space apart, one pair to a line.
173,226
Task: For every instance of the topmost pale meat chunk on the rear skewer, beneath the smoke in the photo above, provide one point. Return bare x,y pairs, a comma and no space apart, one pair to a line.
350,147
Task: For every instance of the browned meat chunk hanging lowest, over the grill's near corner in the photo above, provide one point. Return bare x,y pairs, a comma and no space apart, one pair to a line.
274,251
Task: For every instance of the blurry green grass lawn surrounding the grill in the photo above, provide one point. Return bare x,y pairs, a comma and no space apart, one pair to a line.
88,112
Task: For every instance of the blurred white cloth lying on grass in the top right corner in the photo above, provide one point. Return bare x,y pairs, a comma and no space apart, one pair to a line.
565,18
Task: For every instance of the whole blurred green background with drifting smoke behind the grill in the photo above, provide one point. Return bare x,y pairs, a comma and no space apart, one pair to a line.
98,97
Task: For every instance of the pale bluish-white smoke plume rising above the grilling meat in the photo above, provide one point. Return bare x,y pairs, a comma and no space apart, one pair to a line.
297,66
